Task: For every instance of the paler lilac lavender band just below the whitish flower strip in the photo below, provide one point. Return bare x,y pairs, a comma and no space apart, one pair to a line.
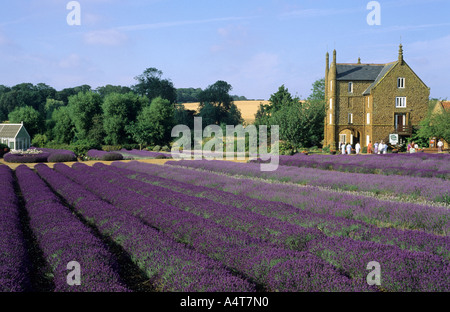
432,220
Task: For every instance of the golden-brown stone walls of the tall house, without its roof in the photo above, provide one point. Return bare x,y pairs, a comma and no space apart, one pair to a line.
380,104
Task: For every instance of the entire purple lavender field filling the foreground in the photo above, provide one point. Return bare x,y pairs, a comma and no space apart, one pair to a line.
213,226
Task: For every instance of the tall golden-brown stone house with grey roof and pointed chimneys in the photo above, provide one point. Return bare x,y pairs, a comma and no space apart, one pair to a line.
367,102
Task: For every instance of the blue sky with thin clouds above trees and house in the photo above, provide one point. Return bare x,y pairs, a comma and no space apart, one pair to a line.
254,45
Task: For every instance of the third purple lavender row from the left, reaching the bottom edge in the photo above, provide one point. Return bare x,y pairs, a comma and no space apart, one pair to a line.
170,266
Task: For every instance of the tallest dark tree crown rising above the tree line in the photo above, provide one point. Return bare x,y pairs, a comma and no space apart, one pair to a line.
152,85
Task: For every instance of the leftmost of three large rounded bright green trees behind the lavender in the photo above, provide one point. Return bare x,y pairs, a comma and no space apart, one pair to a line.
83,107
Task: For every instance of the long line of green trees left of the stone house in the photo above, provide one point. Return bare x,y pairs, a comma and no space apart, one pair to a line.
141,114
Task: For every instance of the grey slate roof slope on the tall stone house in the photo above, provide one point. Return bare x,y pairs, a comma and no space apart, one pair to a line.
358,72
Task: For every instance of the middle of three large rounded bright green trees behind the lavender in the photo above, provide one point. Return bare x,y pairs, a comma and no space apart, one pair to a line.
118,111
